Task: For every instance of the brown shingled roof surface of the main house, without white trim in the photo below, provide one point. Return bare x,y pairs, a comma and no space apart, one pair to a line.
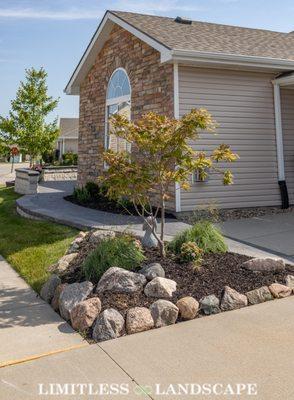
209,37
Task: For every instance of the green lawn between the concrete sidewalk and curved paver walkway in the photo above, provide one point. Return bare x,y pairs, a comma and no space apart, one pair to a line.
30,246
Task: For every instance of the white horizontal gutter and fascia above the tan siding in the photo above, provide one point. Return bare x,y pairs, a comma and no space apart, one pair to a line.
232,60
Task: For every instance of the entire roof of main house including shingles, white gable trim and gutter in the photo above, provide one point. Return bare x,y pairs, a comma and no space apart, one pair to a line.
199,42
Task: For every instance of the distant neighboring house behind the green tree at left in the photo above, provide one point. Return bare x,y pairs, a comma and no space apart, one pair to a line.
69,135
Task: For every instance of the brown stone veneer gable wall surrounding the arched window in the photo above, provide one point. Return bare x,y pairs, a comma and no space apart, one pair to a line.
151,85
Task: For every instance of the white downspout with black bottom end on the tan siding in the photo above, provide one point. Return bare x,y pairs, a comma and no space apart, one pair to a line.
280,147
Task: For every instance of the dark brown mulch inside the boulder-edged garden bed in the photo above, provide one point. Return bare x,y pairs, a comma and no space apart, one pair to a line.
216,271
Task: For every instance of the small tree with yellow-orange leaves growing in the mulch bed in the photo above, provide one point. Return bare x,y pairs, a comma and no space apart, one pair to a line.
160,157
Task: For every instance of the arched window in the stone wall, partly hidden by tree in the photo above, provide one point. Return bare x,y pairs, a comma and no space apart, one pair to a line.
118,101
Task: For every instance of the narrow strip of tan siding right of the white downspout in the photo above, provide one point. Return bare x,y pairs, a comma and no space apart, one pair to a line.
287,107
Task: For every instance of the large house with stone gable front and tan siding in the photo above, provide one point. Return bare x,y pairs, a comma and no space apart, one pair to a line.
243,77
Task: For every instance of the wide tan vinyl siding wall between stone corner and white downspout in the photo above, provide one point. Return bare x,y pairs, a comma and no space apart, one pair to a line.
242,104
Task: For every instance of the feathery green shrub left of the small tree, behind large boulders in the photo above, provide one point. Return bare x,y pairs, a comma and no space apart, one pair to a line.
122,251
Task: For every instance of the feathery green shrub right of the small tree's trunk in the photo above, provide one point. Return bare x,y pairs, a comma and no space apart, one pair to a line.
206,235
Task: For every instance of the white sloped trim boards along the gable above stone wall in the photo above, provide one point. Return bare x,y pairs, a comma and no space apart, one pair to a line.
97,43
